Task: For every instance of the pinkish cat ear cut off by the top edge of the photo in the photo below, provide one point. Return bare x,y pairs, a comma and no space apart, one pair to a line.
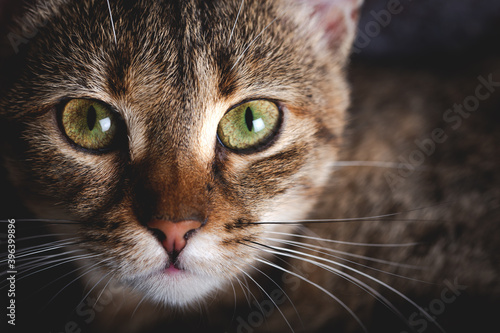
338,20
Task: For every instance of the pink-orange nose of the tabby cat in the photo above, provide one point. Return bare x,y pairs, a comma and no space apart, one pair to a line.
176,234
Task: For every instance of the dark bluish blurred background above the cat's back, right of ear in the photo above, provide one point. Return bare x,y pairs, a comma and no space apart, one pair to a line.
430,30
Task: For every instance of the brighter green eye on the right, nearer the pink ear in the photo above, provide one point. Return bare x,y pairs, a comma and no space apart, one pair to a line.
249,125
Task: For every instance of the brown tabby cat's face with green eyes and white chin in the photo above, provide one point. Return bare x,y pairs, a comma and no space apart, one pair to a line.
170,145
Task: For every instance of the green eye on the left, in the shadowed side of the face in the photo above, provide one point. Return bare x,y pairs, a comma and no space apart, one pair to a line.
89,123
